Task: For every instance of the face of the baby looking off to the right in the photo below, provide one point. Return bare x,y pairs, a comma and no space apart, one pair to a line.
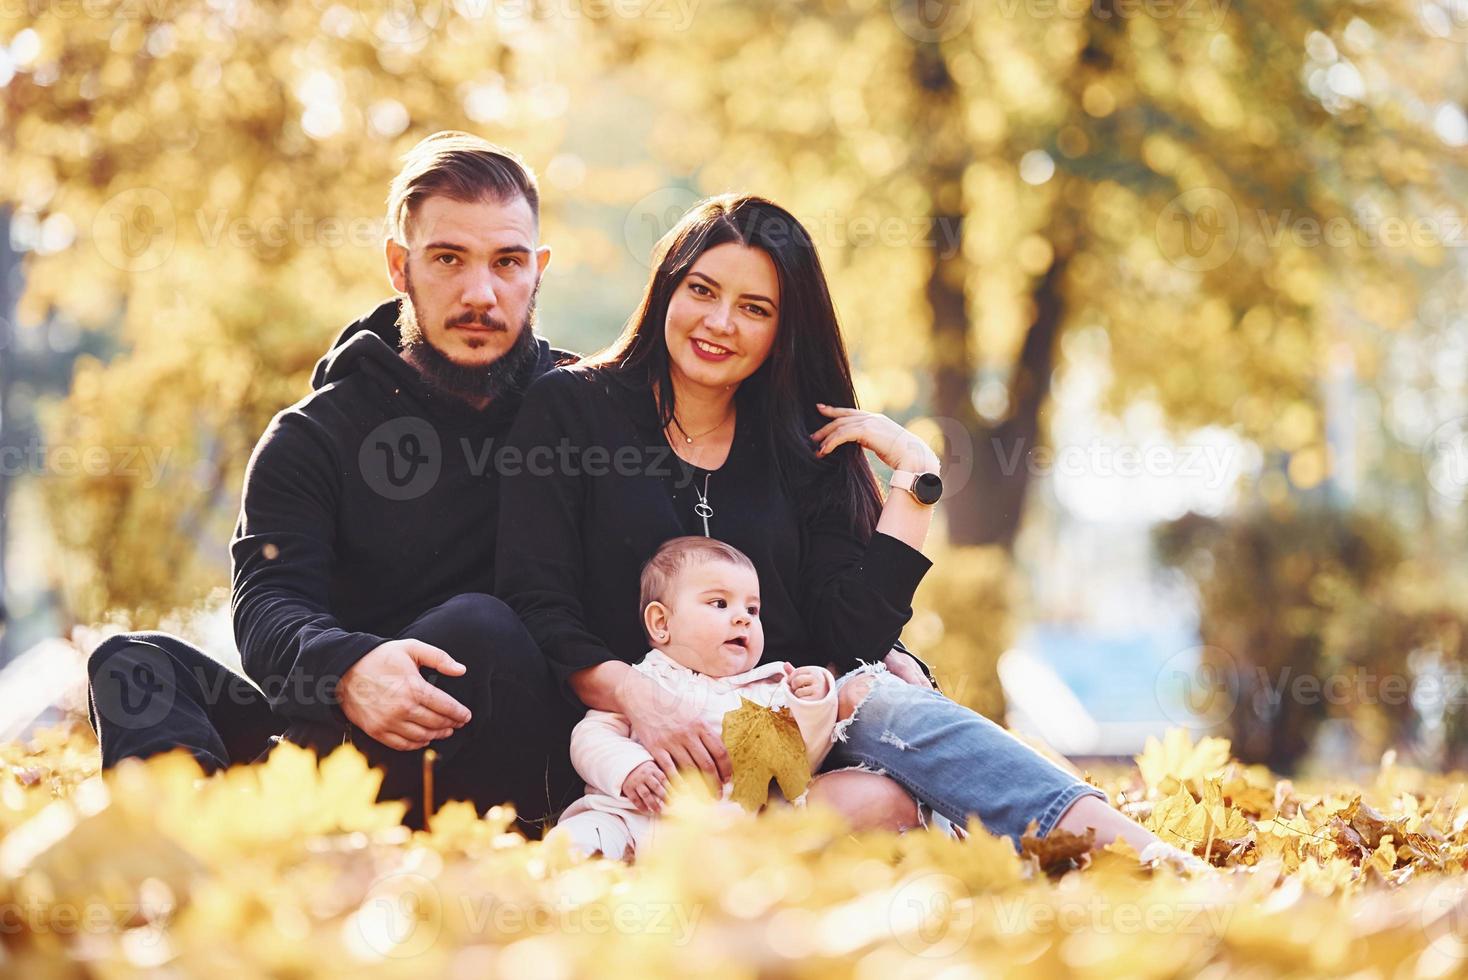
713,623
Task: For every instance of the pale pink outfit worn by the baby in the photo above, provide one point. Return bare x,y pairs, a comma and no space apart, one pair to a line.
604,752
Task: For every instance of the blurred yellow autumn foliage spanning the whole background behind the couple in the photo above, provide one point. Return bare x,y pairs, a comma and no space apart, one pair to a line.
1156,183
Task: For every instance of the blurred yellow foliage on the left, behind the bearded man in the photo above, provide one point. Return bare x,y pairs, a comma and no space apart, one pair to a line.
217,175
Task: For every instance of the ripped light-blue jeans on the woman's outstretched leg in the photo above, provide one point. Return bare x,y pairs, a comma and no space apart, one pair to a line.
952,759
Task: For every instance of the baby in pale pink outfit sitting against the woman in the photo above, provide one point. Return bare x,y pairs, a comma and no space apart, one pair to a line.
701,611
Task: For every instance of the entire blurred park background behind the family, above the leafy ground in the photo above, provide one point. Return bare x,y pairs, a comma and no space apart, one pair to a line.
1177,285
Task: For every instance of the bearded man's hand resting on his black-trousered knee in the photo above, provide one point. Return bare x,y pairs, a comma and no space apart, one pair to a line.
385,696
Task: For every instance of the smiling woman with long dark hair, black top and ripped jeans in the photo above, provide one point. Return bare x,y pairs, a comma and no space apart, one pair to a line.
727,409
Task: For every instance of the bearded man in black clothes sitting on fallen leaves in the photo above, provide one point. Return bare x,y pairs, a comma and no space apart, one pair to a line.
365,554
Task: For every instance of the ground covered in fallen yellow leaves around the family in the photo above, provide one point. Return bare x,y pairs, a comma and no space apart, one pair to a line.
291,869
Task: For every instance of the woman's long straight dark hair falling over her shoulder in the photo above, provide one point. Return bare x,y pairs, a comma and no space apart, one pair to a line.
807,365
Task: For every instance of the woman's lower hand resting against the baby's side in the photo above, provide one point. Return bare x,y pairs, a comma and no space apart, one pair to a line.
672,728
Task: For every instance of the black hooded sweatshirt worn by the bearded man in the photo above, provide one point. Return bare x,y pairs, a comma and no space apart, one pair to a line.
366,504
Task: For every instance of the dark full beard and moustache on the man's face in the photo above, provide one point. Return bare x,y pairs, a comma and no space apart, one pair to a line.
509,373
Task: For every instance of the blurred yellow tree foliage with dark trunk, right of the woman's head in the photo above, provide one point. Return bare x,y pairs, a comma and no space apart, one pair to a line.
1022,171
